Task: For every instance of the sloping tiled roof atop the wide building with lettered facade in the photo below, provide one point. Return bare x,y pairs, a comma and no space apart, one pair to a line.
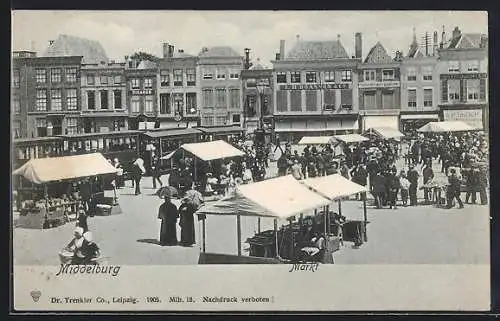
314,50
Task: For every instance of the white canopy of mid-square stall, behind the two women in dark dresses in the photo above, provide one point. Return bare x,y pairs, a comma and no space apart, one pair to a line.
207,151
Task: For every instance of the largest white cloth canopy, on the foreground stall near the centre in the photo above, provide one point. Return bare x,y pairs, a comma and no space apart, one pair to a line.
268,198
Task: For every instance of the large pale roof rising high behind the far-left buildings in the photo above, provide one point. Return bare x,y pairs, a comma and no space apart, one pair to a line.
91,50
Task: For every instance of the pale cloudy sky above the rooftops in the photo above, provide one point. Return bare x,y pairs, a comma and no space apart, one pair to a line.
125,32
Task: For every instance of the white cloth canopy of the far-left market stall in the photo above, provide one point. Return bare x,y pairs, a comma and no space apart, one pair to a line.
44,170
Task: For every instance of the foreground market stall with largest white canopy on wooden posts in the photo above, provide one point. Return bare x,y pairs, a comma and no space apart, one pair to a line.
266,199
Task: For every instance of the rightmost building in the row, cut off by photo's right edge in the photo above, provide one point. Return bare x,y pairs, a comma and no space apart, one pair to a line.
463,74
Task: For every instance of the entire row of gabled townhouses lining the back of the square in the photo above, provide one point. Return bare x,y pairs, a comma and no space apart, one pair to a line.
316,86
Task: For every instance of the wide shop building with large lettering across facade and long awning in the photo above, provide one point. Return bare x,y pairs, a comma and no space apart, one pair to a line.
315,89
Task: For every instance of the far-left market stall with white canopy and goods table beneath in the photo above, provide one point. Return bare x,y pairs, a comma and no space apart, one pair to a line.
46,175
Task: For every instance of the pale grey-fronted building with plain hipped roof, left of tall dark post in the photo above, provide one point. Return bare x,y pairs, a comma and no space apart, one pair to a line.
220,69
